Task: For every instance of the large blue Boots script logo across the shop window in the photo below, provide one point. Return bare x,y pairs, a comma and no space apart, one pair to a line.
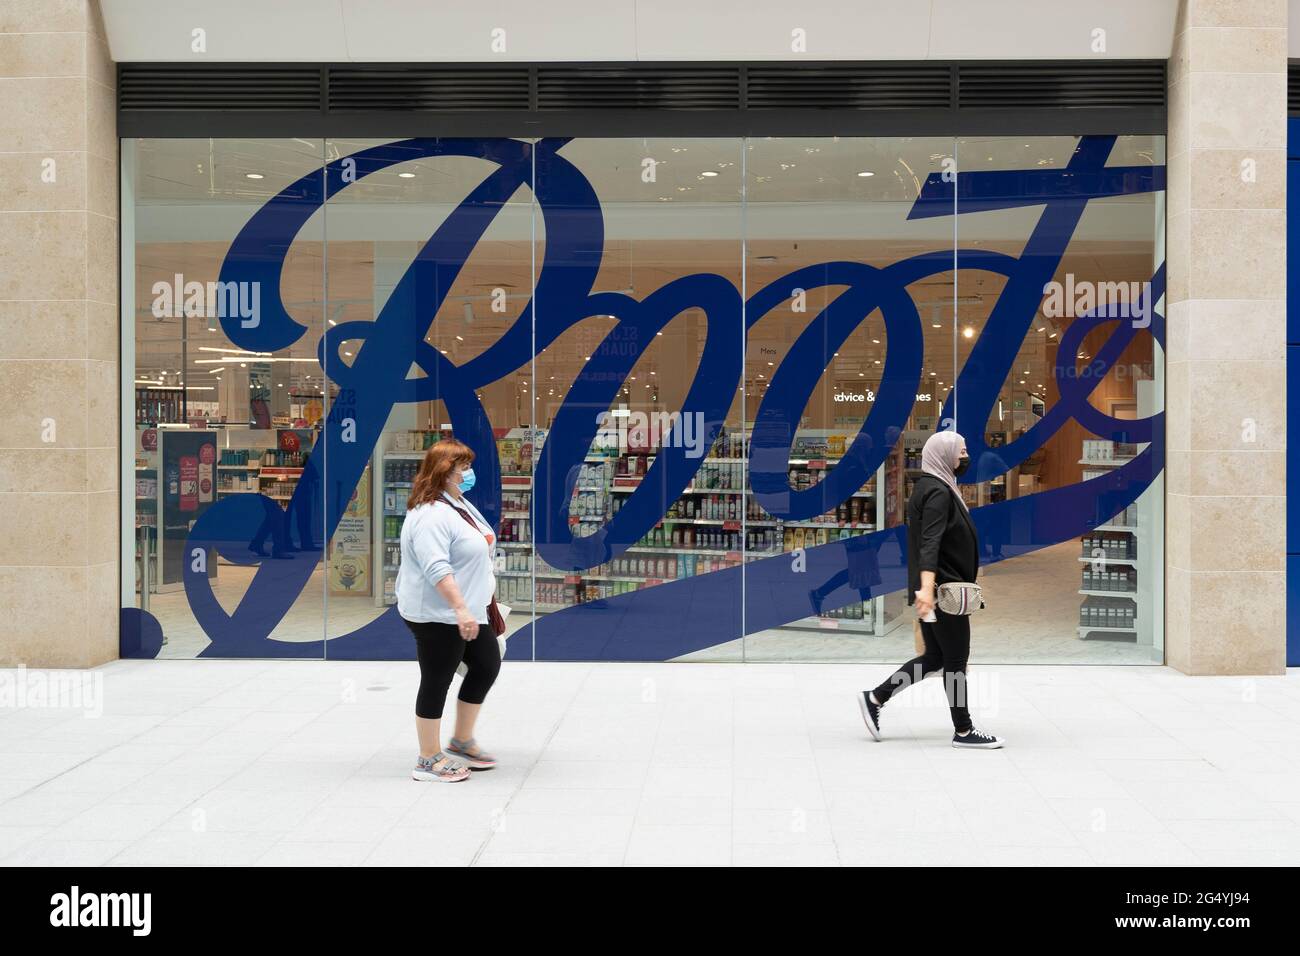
691,613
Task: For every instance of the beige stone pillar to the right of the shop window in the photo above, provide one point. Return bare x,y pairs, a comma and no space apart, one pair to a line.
1227,341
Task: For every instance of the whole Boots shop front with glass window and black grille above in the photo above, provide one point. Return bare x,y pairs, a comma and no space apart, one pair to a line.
696,322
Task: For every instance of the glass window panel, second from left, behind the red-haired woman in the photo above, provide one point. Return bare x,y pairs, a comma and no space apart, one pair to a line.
430,283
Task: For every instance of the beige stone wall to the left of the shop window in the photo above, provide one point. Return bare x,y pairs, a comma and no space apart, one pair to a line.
59,308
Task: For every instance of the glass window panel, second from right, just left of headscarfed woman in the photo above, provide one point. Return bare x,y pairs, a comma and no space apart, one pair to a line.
850,343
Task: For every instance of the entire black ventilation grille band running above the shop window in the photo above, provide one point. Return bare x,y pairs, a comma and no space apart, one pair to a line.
613,100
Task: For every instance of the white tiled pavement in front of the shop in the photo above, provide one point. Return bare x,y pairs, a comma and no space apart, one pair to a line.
228,763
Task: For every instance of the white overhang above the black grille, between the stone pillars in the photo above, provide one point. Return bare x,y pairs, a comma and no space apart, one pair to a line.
630,31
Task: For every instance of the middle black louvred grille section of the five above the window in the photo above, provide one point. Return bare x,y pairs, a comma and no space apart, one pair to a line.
635,88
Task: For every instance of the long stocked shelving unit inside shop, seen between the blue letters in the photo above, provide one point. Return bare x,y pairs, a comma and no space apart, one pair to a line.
704,531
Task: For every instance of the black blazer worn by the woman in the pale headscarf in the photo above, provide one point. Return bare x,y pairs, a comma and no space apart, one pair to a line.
941,537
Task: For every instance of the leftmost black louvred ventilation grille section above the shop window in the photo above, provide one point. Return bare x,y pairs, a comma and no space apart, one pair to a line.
235,86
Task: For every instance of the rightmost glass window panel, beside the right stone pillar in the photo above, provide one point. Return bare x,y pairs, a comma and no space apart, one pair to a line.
1061,393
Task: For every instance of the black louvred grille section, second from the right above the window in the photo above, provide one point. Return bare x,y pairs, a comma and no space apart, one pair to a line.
850,86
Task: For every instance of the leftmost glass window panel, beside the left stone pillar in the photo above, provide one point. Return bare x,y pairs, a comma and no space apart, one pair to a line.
228,391
